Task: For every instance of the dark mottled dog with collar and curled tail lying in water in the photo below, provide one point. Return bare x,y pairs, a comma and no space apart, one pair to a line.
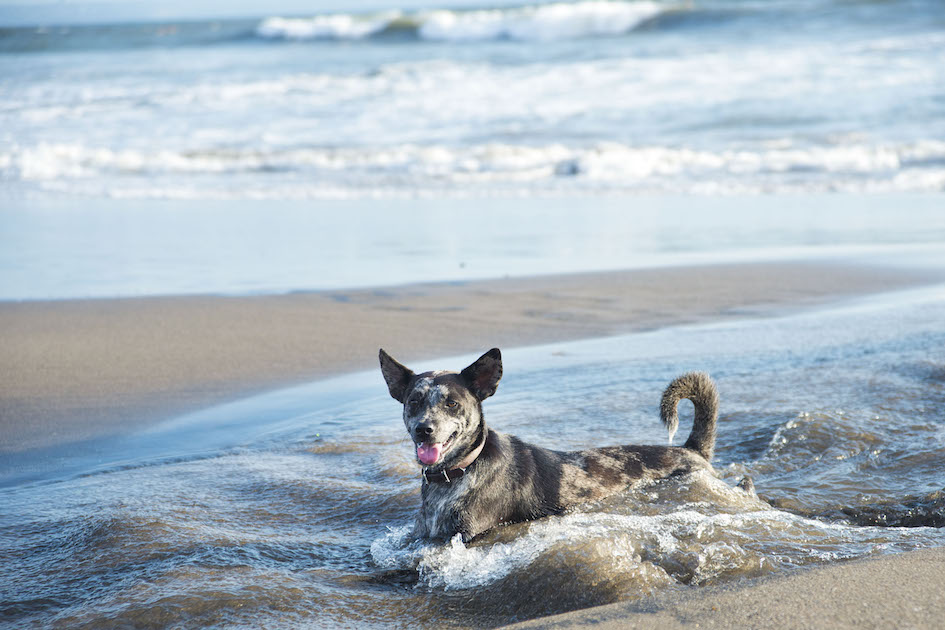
475,479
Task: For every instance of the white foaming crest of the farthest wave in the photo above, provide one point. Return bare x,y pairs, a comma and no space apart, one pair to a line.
545,22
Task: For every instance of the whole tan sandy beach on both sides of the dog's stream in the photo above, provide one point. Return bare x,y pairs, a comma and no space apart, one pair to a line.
81,370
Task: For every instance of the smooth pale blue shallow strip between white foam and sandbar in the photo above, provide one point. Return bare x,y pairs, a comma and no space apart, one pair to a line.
58,249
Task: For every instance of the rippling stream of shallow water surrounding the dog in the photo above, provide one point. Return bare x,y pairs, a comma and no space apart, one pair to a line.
292,509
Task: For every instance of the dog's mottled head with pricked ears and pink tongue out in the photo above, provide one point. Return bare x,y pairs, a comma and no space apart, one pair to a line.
443,410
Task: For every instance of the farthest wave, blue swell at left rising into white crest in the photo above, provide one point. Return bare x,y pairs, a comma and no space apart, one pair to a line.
535,22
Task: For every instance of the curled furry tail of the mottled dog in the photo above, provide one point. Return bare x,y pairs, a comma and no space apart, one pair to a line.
699,388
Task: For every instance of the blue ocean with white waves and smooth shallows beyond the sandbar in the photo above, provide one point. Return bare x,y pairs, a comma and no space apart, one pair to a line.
445,142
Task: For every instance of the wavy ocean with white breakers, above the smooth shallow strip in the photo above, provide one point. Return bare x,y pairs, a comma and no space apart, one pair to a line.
591,97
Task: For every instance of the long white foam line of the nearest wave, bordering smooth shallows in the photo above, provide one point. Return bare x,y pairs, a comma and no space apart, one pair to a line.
488,168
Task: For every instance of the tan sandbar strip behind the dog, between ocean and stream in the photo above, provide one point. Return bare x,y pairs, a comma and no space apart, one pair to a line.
78,370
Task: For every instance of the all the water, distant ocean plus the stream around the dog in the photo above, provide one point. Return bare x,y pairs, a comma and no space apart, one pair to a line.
280,153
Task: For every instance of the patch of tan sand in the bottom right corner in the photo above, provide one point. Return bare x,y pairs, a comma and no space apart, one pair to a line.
901,591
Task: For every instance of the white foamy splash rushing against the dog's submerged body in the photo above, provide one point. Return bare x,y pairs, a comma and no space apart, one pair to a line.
640,541
